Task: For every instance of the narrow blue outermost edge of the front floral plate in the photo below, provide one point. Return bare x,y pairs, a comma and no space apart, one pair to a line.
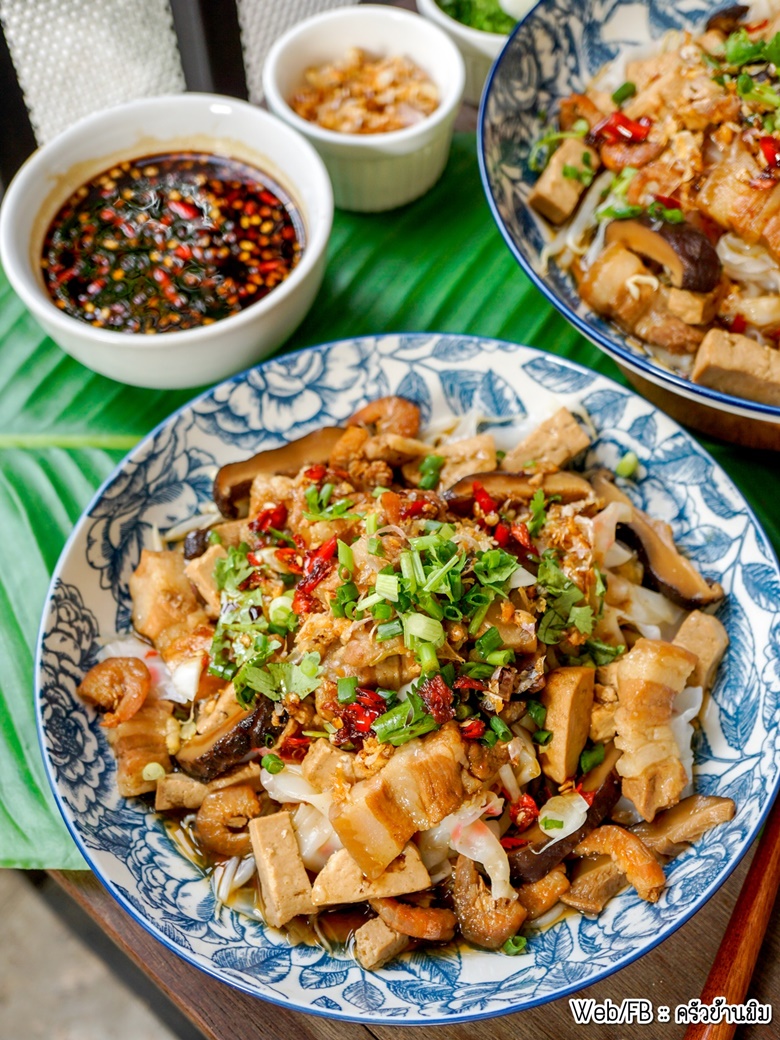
415,1019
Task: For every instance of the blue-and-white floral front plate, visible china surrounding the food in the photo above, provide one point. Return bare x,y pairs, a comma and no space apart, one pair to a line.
165,480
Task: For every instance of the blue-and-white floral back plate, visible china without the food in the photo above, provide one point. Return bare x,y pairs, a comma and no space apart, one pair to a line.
555,51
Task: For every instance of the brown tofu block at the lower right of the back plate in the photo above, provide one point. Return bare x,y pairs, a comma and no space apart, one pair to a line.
738,366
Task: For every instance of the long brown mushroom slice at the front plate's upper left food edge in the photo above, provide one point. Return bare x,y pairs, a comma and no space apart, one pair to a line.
235,481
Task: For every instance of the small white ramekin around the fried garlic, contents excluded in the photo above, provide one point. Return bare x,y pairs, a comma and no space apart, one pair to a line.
372,172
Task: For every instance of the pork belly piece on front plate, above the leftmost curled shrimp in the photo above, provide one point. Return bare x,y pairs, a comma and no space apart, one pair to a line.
163,595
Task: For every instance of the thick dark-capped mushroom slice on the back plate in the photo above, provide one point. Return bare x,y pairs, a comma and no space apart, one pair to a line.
683,250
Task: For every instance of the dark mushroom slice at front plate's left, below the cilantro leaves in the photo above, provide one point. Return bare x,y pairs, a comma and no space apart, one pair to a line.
206,756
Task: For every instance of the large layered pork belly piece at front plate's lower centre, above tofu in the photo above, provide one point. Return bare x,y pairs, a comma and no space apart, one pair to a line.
420,787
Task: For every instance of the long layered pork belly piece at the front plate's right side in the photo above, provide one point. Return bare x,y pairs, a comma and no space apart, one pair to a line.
649,679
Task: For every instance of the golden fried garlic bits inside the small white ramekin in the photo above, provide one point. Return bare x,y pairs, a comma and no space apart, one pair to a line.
362,94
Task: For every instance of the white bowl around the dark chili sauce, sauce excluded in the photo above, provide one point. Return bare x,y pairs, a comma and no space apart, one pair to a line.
176,123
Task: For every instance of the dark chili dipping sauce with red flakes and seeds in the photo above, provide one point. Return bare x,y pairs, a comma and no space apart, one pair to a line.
170,242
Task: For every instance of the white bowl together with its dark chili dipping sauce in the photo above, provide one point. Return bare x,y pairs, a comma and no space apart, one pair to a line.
170,242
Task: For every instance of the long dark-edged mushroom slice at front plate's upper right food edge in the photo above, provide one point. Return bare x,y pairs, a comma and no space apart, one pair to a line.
666,569
